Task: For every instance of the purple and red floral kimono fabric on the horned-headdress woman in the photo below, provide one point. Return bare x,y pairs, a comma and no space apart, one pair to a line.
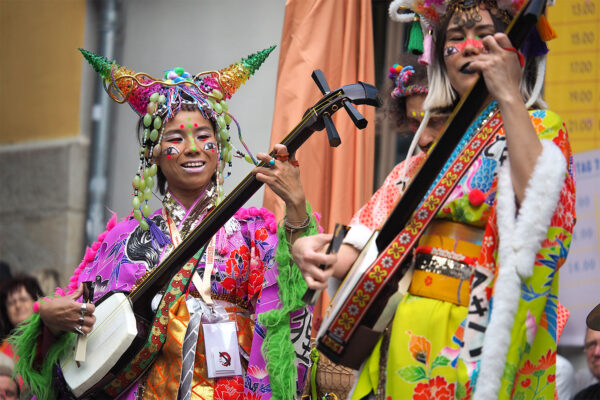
244,269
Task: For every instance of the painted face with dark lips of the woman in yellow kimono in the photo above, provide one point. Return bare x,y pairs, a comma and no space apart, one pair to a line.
462,46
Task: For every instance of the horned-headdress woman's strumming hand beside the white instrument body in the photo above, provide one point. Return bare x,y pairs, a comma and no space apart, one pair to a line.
67,314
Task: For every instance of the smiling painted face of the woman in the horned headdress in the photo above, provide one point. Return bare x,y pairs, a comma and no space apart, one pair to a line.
189,153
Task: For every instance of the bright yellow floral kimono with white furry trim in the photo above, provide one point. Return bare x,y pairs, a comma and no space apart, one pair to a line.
490,340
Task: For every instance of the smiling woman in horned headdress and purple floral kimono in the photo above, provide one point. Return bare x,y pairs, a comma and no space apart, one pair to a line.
247,274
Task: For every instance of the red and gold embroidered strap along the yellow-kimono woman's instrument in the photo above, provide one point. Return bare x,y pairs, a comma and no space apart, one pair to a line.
379,273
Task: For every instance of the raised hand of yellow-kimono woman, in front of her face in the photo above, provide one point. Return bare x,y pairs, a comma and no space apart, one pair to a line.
501,67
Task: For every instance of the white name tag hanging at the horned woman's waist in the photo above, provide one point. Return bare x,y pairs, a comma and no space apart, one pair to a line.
222,351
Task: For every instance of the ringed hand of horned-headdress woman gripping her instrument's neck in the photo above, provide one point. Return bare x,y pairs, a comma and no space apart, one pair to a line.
283,177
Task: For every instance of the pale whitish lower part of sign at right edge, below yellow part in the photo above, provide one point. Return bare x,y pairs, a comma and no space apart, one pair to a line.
580,275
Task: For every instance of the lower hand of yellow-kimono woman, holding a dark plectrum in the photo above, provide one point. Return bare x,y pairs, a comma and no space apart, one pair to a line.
309,254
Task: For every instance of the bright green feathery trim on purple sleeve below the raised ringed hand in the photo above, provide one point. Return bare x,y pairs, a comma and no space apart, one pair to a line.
278,348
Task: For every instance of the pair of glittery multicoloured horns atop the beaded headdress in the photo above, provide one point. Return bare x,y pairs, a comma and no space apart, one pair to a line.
122,84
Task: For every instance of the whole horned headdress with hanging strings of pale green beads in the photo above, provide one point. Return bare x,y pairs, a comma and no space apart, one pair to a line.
157,101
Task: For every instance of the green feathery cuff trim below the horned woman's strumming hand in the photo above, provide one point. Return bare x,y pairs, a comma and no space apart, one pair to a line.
24,341
